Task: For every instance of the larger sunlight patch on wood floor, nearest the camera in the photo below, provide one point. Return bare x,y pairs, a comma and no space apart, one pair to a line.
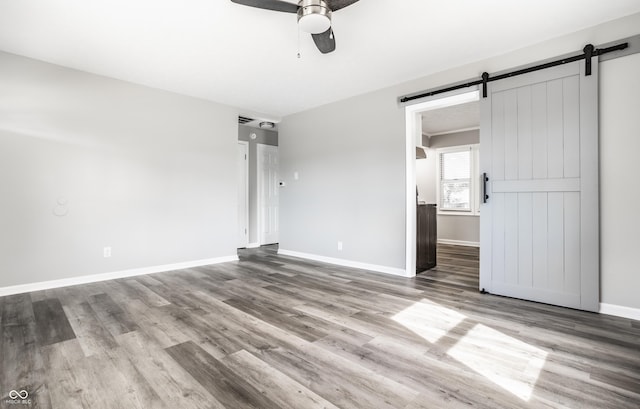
510,363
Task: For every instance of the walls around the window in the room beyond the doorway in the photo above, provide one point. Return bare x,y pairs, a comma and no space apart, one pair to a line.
450,227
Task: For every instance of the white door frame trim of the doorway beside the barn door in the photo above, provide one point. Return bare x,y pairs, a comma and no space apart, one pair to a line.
413,135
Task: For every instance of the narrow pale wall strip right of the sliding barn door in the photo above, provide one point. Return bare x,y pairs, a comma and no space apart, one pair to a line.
619,170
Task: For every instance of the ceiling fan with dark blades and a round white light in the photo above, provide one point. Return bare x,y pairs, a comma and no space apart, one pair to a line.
314,17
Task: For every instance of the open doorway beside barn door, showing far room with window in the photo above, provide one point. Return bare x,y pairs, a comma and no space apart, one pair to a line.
448,186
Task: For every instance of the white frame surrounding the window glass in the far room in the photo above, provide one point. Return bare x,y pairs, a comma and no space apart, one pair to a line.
474,180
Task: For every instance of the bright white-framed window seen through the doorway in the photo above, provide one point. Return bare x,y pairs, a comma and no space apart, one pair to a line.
458,179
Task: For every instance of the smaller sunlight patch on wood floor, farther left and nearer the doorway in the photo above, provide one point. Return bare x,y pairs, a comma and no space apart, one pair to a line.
429,320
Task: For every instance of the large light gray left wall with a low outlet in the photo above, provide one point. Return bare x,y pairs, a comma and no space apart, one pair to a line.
144,171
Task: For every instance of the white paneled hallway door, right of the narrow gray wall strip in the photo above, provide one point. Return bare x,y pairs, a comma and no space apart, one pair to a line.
268,193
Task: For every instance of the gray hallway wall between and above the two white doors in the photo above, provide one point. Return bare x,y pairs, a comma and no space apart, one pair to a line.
265,137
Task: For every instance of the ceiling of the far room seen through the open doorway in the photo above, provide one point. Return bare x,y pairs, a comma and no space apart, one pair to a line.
454,118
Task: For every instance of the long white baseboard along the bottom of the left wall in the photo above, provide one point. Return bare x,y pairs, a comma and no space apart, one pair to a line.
65,282
